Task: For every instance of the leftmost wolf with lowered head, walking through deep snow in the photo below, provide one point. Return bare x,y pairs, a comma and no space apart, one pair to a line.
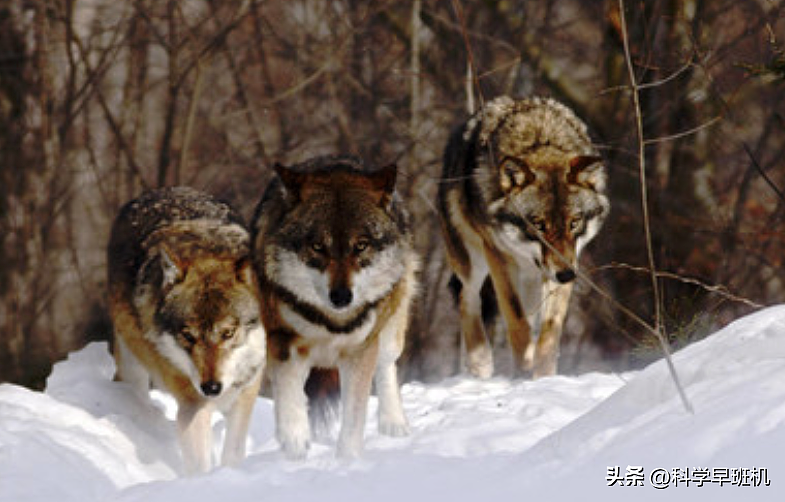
184,302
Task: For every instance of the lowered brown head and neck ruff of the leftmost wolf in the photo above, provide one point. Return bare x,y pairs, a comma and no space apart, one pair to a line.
204,306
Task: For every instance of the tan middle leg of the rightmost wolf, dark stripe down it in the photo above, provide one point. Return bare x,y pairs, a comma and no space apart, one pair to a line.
506,277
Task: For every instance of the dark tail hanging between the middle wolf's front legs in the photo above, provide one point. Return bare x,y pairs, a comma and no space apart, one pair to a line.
323,389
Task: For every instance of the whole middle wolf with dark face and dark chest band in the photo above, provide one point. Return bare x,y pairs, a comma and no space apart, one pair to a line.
332,247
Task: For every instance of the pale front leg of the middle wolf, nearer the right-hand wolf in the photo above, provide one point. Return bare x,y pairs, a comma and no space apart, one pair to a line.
356,372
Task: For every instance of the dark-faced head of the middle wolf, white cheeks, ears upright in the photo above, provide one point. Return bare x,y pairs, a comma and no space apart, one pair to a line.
339,245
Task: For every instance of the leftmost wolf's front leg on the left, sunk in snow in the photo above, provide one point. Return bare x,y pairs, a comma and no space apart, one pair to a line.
196,436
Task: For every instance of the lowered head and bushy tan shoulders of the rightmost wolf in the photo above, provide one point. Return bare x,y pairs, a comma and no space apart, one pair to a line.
543,181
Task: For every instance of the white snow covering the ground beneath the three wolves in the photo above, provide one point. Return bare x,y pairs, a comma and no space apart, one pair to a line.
87,438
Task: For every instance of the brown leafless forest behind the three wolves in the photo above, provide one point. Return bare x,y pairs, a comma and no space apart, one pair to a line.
101,99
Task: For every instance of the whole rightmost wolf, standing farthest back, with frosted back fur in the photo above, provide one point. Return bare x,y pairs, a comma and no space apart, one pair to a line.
522,192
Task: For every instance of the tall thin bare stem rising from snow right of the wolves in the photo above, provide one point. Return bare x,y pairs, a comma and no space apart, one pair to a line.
645,208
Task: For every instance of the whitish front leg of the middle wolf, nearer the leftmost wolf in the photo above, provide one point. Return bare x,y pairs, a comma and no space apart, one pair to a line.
291,406
